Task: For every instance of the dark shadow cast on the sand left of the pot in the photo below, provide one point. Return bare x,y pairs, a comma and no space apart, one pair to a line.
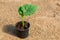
10,29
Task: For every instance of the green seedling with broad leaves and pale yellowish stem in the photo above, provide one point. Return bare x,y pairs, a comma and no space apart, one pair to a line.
26,10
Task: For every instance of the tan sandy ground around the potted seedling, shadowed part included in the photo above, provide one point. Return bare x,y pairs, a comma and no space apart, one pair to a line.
45,23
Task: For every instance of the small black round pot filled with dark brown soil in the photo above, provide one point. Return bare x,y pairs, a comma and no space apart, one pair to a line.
22,32
